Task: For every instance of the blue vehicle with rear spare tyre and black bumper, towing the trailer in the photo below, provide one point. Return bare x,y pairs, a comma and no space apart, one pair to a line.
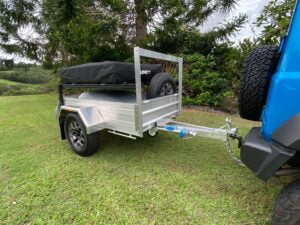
270,92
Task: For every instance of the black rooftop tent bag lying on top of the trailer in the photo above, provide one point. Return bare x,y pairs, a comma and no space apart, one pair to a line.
107,72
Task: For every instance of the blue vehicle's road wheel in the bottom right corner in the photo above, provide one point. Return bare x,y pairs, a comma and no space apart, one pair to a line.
286,210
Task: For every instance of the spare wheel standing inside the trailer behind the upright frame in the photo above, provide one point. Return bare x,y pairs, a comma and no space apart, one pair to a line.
161,84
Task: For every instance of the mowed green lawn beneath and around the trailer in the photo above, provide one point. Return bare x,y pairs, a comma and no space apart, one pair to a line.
161,180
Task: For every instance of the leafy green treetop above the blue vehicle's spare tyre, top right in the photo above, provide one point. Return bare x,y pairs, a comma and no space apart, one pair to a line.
275,20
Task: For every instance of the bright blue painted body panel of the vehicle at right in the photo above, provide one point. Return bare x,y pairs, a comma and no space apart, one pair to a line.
283,100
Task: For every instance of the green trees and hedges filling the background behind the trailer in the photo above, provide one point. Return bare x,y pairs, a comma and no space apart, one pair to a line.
70,32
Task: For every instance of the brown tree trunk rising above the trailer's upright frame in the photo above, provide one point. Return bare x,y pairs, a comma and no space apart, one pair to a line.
141,21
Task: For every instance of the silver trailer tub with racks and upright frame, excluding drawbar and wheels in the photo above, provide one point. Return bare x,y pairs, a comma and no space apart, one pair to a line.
123,113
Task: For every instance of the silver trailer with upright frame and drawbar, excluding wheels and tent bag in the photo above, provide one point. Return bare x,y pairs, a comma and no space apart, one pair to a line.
130,116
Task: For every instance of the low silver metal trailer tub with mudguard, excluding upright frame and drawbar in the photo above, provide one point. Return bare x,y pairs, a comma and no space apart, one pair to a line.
119,112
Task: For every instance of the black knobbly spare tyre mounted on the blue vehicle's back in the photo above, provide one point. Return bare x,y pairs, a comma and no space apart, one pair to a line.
255,80
